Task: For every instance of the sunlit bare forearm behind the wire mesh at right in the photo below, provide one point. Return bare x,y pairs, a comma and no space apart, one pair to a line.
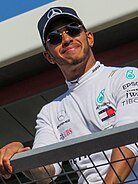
122,168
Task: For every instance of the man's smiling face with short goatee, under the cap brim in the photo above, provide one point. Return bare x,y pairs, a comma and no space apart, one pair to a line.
71,50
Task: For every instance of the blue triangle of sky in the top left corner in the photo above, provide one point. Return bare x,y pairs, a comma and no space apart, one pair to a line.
11,8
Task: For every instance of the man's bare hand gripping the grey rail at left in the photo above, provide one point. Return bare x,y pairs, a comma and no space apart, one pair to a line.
5,155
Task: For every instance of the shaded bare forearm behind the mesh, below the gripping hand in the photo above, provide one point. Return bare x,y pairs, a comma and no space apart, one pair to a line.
43,175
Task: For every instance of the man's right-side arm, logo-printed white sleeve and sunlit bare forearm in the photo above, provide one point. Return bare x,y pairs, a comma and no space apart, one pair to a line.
122,90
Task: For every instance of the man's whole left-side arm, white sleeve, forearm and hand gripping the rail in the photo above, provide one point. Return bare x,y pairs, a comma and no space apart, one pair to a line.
44,132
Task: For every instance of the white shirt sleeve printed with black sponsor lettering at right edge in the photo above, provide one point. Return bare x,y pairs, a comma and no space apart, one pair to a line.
125,93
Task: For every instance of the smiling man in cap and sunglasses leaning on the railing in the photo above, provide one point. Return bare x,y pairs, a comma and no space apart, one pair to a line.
93,89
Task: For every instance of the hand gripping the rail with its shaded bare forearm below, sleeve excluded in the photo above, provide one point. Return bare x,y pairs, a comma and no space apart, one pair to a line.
6,169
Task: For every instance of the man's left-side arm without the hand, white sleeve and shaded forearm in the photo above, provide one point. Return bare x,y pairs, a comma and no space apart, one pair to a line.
44,136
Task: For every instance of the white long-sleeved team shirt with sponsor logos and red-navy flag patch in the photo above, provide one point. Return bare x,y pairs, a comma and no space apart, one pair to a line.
103,98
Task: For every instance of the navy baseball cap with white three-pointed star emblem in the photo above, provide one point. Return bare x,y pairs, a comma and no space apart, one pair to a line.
53,14
